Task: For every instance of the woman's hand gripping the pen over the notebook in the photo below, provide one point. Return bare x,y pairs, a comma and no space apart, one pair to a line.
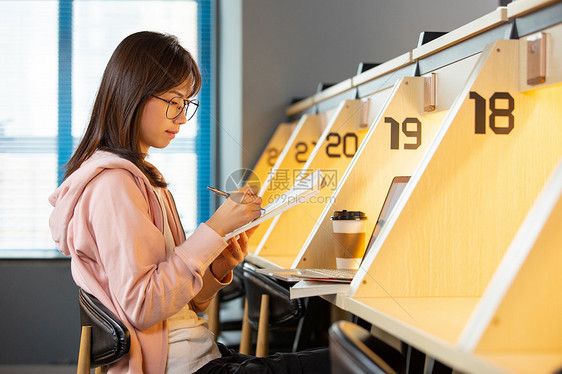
240,208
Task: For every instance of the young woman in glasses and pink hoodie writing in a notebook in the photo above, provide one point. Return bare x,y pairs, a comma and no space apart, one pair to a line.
114,215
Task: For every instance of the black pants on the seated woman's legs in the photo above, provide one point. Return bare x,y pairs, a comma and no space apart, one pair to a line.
315,361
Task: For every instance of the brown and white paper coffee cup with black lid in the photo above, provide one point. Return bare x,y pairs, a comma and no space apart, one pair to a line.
349,234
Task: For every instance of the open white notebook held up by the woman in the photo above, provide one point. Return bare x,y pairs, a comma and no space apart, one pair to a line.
301,191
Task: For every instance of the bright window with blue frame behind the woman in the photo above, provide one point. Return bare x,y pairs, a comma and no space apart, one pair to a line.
53,57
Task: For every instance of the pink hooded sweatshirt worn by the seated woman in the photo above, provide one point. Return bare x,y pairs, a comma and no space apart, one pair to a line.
107,217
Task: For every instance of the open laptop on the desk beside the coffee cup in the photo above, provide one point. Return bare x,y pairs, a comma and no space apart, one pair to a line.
344,275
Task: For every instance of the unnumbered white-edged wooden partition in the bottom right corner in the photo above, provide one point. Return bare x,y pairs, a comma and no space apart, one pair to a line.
518,321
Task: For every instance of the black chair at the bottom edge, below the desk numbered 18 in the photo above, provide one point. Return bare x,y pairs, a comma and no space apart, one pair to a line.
353,350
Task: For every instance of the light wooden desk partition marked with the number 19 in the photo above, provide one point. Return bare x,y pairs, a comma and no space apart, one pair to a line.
394,145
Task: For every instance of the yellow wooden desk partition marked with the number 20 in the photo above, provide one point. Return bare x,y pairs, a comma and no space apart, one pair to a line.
289,230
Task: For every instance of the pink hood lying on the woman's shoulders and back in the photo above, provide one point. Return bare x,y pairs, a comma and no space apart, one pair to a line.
65,198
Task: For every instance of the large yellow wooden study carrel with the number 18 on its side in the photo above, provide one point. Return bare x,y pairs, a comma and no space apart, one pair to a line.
463,311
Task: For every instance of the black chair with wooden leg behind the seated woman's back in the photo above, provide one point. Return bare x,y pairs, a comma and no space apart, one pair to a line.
104,338
